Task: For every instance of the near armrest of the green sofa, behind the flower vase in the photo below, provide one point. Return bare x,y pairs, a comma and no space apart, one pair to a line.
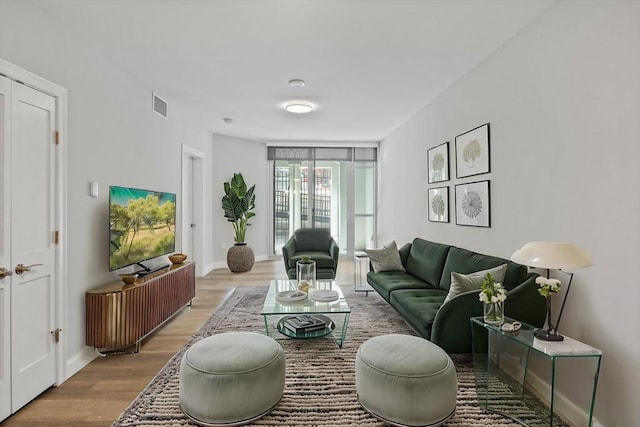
451,328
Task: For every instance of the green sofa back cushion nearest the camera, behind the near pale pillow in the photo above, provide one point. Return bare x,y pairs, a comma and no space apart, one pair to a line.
465,261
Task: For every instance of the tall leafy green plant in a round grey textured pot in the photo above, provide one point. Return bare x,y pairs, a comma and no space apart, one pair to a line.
238,202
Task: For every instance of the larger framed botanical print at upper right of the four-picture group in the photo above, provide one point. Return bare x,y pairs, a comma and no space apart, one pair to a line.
472,152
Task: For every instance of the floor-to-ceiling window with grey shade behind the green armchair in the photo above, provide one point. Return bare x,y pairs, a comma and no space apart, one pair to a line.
325,187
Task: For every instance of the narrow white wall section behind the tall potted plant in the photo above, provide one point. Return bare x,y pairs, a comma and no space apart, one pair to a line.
235,155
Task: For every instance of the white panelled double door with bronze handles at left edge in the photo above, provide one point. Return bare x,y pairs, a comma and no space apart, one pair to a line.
28,207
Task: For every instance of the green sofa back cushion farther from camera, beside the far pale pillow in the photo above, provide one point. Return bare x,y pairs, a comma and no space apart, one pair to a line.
426,260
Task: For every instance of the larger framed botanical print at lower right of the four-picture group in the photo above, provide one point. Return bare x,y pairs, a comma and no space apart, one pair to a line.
472,204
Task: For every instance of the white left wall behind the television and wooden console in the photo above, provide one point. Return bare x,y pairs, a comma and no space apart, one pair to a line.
113,138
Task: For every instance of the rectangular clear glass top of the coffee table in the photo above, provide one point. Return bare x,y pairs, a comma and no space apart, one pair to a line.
308,305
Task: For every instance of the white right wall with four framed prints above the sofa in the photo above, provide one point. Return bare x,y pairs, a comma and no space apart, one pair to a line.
563,100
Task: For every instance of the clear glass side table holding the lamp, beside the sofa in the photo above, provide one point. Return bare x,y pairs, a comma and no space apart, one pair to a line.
501,363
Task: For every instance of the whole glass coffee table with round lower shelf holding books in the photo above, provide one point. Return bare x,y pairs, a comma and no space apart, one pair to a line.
335,312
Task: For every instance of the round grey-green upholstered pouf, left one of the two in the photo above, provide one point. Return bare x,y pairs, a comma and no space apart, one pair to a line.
231,378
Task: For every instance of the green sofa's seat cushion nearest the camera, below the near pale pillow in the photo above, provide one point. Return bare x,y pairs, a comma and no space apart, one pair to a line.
418,307
